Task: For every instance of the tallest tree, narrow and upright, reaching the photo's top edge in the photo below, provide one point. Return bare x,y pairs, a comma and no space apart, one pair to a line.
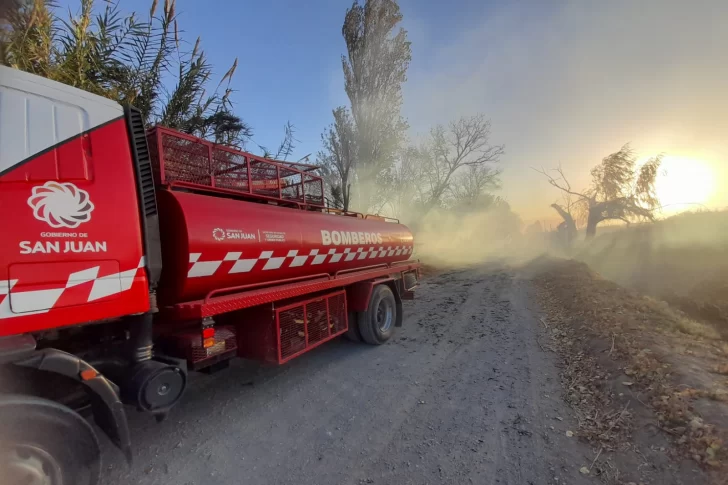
375,68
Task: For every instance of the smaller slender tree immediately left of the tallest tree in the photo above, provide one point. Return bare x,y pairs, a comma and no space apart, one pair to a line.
339,157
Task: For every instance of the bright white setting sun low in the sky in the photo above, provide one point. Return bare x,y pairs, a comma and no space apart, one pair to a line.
684,183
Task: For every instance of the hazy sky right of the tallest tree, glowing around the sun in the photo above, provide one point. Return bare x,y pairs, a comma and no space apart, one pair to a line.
572,83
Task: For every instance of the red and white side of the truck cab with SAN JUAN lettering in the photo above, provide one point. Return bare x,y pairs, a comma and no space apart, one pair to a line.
71,249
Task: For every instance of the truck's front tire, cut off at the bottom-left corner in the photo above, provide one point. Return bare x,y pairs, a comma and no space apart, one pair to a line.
42,441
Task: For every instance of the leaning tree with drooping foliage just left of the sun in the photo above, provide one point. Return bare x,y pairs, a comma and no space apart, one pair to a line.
618,191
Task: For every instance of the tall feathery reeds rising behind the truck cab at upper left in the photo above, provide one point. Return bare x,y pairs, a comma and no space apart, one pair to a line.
139,59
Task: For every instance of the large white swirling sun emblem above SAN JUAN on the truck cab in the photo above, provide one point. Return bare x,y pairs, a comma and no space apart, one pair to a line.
61,204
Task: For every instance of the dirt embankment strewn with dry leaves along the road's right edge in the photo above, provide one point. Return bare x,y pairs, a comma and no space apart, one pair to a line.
649,386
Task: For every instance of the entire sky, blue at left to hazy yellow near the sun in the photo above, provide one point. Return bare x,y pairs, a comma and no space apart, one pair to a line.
562,82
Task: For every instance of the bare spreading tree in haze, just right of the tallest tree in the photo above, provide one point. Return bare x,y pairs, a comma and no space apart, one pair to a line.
465,144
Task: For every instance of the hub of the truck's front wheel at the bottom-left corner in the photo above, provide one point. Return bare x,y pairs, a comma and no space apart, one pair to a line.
29,465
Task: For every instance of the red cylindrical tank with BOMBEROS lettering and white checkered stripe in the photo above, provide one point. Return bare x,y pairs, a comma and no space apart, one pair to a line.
211,243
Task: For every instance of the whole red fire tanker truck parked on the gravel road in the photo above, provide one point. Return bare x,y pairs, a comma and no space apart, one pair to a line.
130,257
